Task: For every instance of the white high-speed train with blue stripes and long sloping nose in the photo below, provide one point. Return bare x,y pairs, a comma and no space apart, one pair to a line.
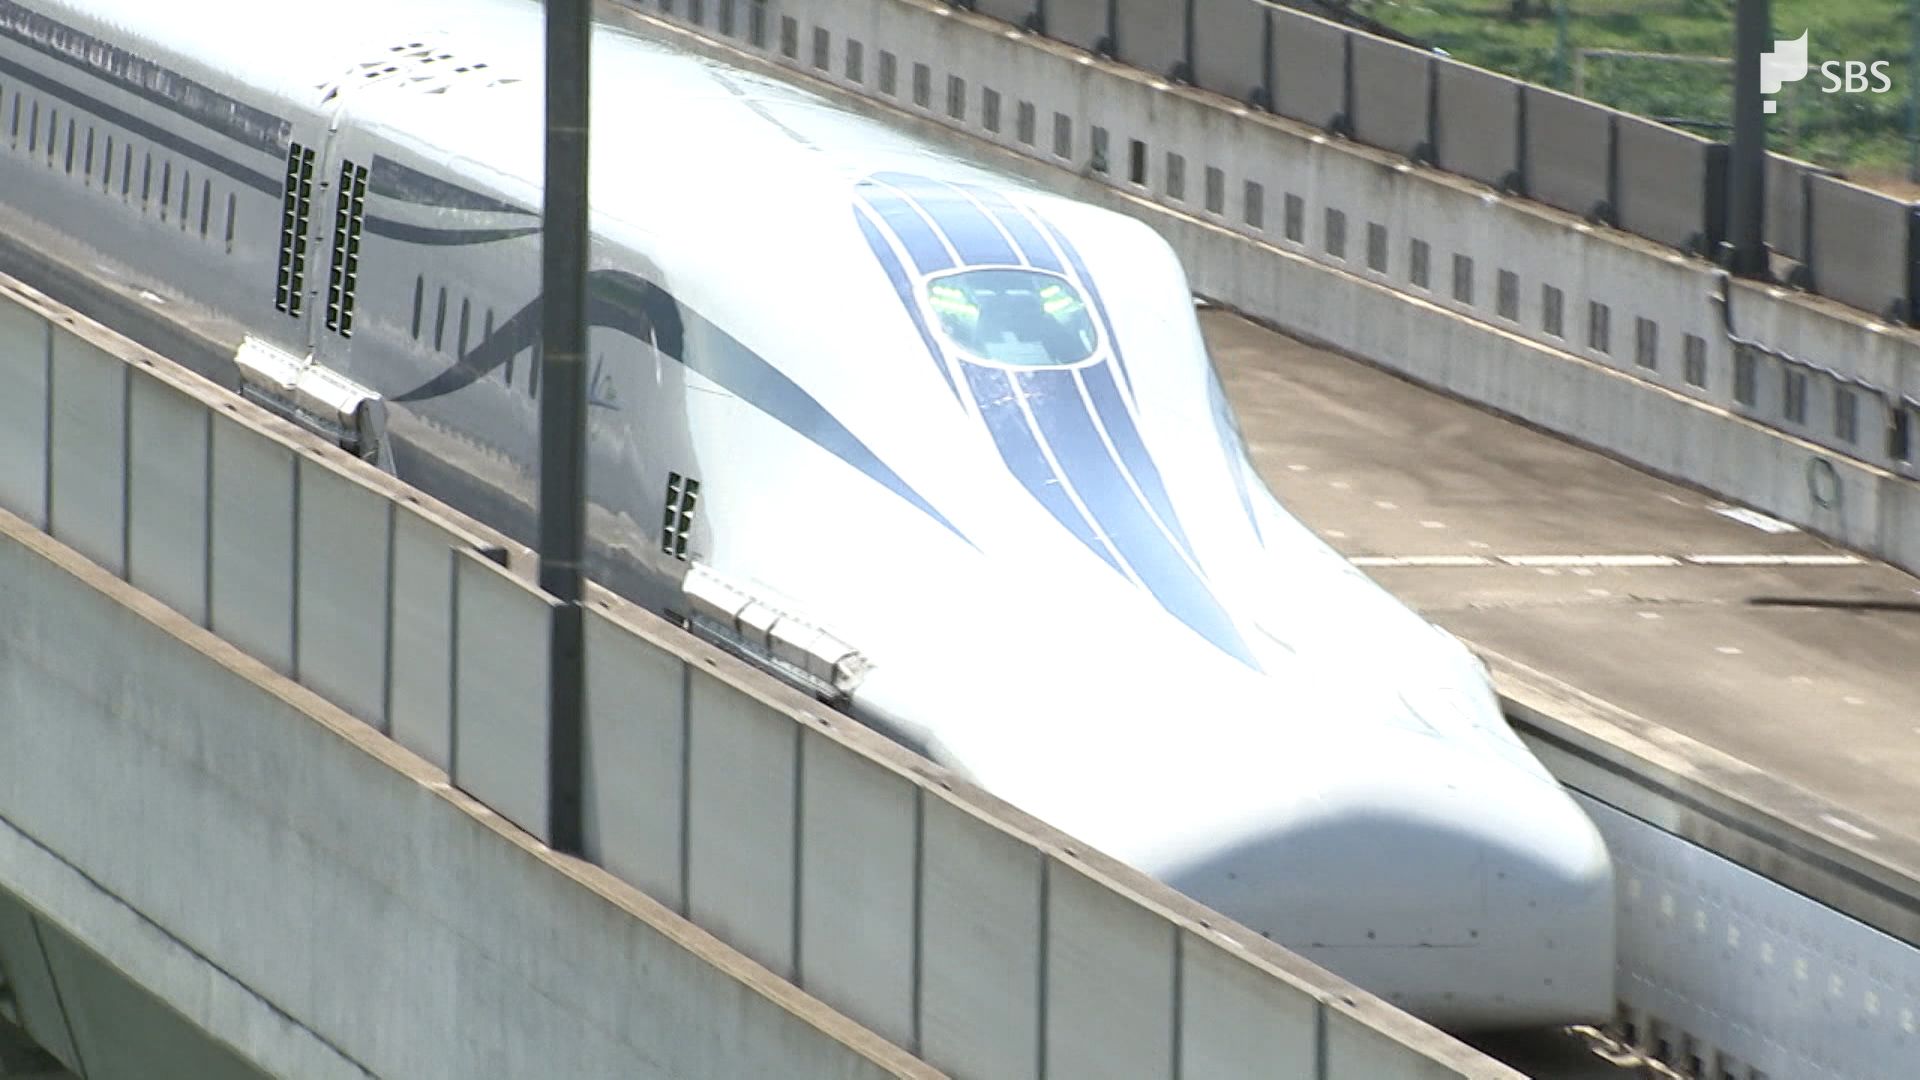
936,445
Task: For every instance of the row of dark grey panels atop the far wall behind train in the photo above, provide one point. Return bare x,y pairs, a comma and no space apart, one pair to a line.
1644,178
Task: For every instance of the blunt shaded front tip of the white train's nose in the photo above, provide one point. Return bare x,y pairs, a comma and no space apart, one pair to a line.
1464,891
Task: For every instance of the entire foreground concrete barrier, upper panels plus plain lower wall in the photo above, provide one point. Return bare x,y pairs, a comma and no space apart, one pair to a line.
972,935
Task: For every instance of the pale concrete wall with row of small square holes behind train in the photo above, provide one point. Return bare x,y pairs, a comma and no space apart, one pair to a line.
1493,299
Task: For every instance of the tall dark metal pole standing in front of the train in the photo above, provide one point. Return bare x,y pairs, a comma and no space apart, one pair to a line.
564,464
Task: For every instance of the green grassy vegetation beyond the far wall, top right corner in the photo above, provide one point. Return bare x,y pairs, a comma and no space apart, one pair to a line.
1860,134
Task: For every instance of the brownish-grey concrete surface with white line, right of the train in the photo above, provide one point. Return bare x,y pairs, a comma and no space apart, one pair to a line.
1627,587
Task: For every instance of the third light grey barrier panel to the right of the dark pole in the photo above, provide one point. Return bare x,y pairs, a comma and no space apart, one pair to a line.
857,889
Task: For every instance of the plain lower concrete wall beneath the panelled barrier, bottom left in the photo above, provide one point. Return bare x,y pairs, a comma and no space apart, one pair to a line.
471,948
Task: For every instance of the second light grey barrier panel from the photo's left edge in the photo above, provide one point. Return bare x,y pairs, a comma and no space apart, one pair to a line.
89,451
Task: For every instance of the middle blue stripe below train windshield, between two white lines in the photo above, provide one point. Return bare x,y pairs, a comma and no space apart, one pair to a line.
1067,424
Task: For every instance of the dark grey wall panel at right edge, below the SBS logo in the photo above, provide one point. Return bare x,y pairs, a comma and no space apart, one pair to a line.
1860,247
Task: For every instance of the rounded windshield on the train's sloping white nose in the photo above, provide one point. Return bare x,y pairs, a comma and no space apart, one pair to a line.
1015,316
